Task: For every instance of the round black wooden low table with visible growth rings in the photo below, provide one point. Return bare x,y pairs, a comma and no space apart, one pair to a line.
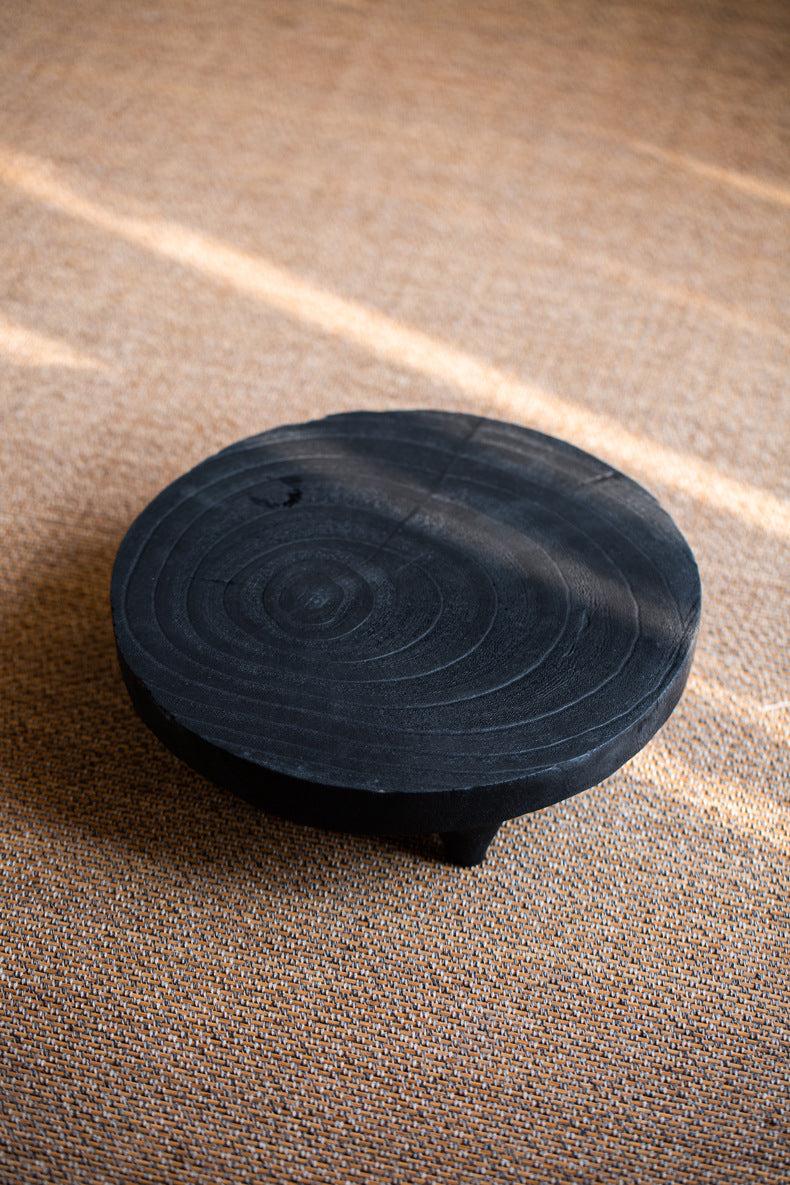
406,623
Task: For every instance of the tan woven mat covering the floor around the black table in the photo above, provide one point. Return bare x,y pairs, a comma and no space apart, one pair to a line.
216,219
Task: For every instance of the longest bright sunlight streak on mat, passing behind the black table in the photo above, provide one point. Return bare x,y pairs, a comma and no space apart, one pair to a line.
498,392
